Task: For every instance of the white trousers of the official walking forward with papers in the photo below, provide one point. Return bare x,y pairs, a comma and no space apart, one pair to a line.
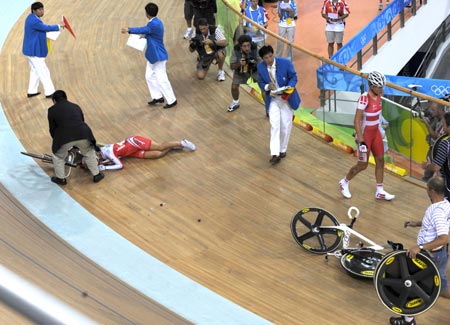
280,117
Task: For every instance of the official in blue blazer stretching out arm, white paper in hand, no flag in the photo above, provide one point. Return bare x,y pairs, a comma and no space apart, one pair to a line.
156,54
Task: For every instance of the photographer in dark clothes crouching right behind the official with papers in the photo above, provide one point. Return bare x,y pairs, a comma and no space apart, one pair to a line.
243,62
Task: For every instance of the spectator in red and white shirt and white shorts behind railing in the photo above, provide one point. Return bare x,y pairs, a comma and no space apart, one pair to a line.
334,12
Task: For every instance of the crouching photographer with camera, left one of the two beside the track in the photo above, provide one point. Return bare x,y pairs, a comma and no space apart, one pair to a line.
209,42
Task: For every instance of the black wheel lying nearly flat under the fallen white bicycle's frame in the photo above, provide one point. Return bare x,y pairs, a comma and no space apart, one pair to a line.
361,263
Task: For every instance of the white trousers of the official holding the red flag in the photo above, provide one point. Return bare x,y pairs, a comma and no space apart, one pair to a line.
39,72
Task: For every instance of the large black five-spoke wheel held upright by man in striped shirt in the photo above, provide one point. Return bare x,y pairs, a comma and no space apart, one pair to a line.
407,286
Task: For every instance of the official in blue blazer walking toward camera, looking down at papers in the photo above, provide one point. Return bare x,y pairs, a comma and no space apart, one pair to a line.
277,79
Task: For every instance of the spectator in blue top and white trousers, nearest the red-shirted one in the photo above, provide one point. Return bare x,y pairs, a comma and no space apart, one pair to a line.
287,13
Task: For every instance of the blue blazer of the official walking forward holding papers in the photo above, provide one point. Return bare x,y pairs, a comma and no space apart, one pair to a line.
286,76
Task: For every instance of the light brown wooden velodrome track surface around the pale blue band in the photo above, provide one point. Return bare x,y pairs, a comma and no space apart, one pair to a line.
219,215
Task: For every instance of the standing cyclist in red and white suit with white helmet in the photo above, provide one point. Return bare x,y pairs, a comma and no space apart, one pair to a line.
368,136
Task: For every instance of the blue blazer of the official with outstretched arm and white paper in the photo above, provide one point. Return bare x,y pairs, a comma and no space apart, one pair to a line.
154,33
